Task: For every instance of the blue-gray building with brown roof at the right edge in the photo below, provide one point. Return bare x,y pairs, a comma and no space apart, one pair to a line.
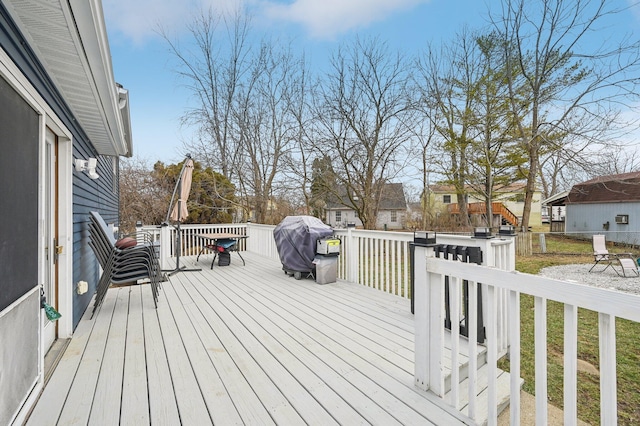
606,204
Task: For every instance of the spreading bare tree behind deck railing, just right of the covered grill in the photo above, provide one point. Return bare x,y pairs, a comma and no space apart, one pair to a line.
365,111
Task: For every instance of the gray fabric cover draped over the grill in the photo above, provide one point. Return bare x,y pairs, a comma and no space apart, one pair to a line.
296,238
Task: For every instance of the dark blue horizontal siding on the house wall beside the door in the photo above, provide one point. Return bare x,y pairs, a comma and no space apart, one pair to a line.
87,194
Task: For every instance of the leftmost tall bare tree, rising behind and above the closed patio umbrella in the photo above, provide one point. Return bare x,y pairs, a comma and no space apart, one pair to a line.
214,71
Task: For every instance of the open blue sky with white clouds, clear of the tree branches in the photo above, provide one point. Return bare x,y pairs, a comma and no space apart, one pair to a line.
143,64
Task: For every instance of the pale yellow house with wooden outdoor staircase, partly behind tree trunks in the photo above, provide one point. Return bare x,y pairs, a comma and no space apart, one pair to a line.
511,196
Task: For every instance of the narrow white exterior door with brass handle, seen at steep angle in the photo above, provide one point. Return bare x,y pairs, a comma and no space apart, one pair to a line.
50,285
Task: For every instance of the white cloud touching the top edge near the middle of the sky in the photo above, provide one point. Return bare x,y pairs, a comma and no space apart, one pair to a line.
327,18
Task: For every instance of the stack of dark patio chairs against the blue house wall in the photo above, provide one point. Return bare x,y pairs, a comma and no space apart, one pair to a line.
123,261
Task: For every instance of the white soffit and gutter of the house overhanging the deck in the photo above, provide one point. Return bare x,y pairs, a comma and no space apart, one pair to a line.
70,39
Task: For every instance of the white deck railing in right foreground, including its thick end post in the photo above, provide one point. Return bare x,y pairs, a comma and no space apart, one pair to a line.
429,340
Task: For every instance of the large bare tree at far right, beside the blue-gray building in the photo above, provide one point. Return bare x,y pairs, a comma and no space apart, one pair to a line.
576,75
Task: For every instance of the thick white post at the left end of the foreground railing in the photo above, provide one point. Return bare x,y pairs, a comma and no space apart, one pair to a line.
429,328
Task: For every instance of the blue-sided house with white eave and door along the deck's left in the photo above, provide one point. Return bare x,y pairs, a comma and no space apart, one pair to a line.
58,103
